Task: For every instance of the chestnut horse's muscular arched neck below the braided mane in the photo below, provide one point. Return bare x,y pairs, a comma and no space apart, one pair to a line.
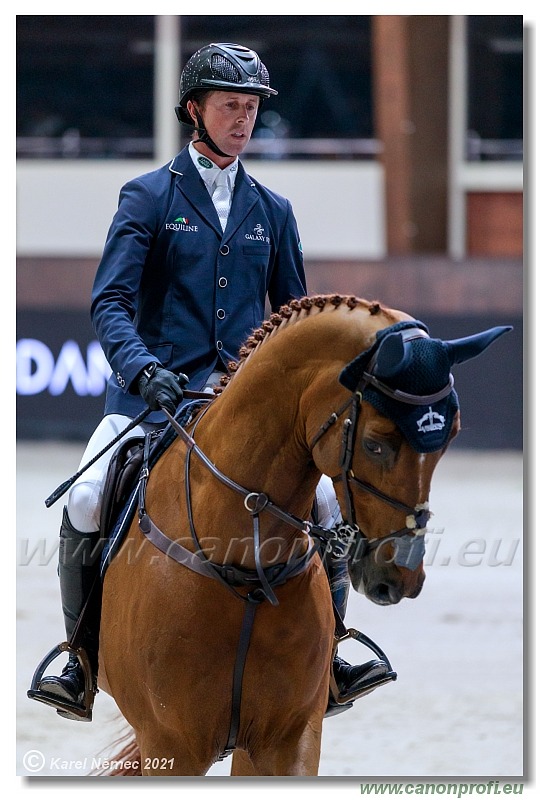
256,431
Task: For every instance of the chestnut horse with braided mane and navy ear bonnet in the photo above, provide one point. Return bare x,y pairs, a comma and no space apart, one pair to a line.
316,391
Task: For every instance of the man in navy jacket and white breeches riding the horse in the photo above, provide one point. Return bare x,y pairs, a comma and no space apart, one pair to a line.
182,282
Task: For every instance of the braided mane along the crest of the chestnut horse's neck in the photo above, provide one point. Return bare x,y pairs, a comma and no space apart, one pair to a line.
288,315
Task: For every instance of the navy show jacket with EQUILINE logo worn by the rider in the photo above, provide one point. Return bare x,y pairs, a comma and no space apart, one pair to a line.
172,287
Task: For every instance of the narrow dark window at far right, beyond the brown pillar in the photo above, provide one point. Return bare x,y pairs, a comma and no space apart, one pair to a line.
495,88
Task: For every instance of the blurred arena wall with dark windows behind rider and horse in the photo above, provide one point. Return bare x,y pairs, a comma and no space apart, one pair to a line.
398,139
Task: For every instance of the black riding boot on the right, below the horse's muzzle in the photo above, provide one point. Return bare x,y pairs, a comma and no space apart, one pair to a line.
349,679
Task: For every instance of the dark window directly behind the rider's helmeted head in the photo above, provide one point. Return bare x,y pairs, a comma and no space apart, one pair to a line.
321,67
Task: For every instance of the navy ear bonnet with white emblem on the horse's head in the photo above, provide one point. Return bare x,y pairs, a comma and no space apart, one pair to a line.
405,375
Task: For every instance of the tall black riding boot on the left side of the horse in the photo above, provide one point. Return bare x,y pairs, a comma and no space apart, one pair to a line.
78,567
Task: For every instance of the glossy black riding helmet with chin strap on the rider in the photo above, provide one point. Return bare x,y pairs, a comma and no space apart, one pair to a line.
222,67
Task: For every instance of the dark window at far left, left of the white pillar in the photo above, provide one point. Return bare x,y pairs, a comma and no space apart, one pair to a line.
85,86
